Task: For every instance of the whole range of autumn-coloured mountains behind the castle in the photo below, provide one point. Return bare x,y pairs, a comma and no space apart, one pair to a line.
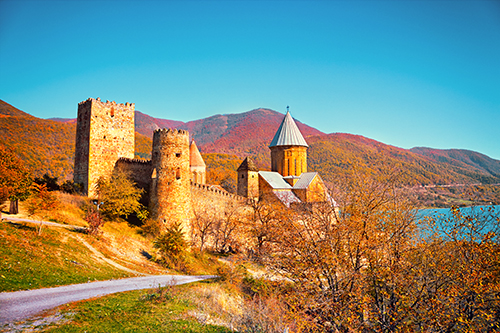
48,146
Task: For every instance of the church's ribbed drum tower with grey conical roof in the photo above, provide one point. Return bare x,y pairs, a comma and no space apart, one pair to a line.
288,149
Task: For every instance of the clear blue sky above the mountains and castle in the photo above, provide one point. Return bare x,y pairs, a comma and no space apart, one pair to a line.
406,73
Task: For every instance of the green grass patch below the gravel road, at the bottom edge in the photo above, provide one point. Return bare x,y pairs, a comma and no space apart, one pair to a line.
155,310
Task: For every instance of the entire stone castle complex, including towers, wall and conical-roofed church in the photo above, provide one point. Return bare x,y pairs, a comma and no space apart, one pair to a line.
176,173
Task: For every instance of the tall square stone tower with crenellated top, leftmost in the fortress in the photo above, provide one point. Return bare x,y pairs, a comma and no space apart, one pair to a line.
104,133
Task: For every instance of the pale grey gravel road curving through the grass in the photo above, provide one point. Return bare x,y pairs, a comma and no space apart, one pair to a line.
21,305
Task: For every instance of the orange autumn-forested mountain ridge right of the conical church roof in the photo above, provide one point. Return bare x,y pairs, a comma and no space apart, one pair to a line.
331,154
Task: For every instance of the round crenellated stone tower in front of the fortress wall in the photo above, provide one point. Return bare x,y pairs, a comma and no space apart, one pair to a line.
170,198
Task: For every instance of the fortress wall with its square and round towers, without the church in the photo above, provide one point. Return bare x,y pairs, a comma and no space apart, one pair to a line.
105,141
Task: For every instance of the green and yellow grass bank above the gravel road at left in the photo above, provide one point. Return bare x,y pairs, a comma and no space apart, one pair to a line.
54,258
